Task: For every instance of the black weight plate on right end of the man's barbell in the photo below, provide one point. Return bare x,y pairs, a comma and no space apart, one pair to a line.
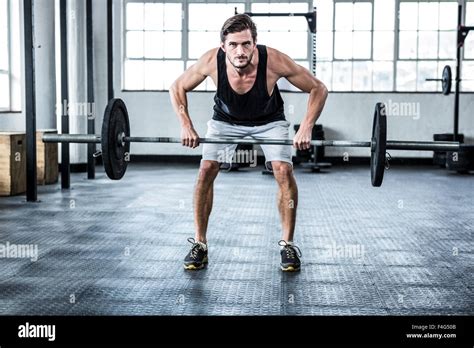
379,144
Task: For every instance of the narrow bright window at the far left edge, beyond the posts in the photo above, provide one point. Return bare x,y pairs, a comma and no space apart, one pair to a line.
10,78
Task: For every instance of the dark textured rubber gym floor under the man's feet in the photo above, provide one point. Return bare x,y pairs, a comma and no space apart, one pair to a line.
109,248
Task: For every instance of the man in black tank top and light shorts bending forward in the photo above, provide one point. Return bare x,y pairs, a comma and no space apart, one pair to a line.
247,103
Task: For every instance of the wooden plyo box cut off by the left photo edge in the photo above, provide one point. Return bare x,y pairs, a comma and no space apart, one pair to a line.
12,163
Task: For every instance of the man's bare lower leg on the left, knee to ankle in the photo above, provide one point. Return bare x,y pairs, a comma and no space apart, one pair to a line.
203,196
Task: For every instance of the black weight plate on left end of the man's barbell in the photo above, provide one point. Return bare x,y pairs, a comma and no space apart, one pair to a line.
114,154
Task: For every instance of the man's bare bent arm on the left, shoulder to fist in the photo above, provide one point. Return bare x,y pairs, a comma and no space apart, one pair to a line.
189,80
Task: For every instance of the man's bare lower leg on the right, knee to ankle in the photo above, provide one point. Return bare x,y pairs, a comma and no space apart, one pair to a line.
287,197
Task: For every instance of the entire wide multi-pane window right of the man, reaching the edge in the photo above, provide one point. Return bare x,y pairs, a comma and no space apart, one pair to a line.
366,46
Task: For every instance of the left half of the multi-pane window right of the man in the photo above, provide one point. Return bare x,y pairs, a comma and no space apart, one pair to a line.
355,45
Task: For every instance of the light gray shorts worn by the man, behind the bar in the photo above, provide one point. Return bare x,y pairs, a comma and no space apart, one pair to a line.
225,153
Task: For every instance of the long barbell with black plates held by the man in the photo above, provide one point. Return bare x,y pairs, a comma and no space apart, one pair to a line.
115,139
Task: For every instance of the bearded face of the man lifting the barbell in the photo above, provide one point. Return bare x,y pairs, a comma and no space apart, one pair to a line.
239,48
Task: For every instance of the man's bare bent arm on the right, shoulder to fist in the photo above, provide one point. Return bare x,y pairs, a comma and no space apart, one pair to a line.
284,66
